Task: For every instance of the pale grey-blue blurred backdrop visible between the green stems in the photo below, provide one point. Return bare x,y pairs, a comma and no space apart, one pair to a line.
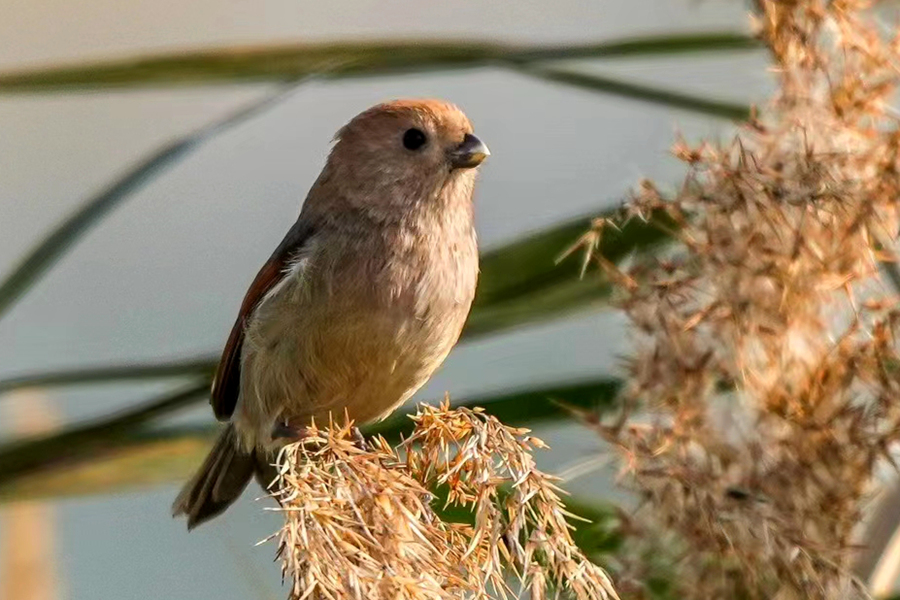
164,274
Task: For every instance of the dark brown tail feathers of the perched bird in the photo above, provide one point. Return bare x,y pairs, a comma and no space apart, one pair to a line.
219,481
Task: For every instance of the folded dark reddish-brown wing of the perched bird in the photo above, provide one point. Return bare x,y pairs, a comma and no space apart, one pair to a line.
227,383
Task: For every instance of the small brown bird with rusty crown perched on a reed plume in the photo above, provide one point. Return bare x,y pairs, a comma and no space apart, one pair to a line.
361,301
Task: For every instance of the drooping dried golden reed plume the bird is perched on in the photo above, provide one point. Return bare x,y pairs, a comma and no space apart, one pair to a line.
359,521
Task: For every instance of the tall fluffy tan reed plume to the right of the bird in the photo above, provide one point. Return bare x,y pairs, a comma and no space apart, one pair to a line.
764,391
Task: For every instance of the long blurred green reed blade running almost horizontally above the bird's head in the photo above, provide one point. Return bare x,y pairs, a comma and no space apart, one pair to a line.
285,62
